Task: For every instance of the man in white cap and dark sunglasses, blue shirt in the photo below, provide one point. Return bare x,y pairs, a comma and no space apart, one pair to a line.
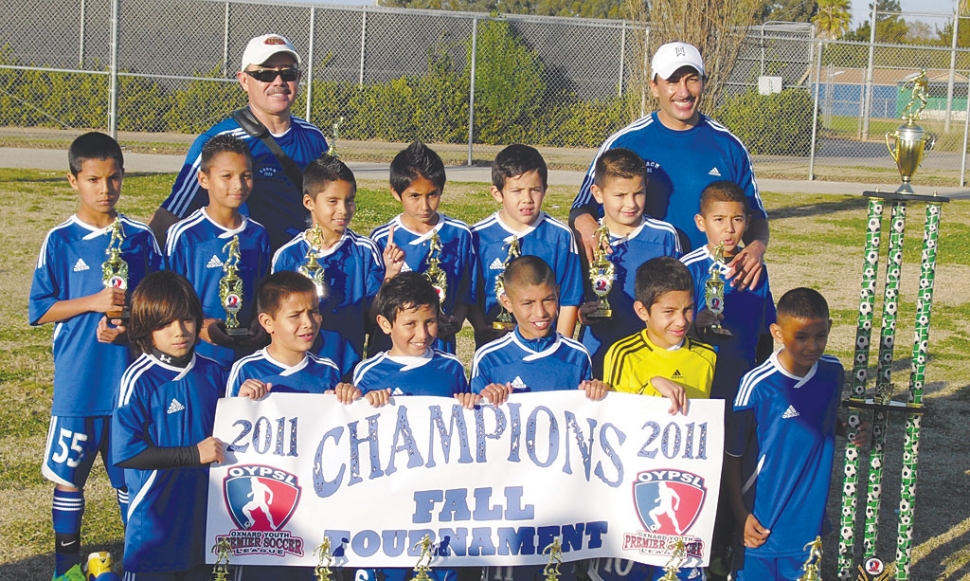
270,75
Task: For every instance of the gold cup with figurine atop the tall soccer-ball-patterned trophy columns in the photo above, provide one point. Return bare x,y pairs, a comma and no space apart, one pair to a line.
909,142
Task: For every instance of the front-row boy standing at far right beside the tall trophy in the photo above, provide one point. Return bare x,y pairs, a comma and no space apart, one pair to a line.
788,403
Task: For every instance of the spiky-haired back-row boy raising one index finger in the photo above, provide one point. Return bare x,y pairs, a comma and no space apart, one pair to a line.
417,181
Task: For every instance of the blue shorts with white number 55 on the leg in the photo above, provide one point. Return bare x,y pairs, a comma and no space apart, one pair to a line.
72,445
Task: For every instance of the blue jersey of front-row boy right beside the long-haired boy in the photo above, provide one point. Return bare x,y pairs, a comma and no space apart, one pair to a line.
312,375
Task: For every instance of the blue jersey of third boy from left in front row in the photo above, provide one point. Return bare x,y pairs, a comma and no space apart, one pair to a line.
436,373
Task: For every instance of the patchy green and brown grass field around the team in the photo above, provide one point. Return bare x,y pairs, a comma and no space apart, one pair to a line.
816,241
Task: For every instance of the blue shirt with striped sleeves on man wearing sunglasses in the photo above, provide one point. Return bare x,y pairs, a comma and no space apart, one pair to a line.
275,202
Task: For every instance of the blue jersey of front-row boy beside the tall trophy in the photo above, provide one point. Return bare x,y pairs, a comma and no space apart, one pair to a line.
792,420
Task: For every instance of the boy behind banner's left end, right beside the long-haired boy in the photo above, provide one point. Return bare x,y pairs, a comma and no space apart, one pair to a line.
288,309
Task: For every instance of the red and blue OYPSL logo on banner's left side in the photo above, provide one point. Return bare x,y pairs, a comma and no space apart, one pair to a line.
260,498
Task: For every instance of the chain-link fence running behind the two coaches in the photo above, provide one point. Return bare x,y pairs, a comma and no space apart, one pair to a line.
396,75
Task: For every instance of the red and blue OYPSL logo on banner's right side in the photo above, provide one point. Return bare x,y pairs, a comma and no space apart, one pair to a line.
668,502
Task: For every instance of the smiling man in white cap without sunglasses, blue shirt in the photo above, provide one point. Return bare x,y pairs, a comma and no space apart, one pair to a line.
685,151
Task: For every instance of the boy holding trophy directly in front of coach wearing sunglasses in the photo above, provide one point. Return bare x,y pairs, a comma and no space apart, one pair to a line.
198,246
